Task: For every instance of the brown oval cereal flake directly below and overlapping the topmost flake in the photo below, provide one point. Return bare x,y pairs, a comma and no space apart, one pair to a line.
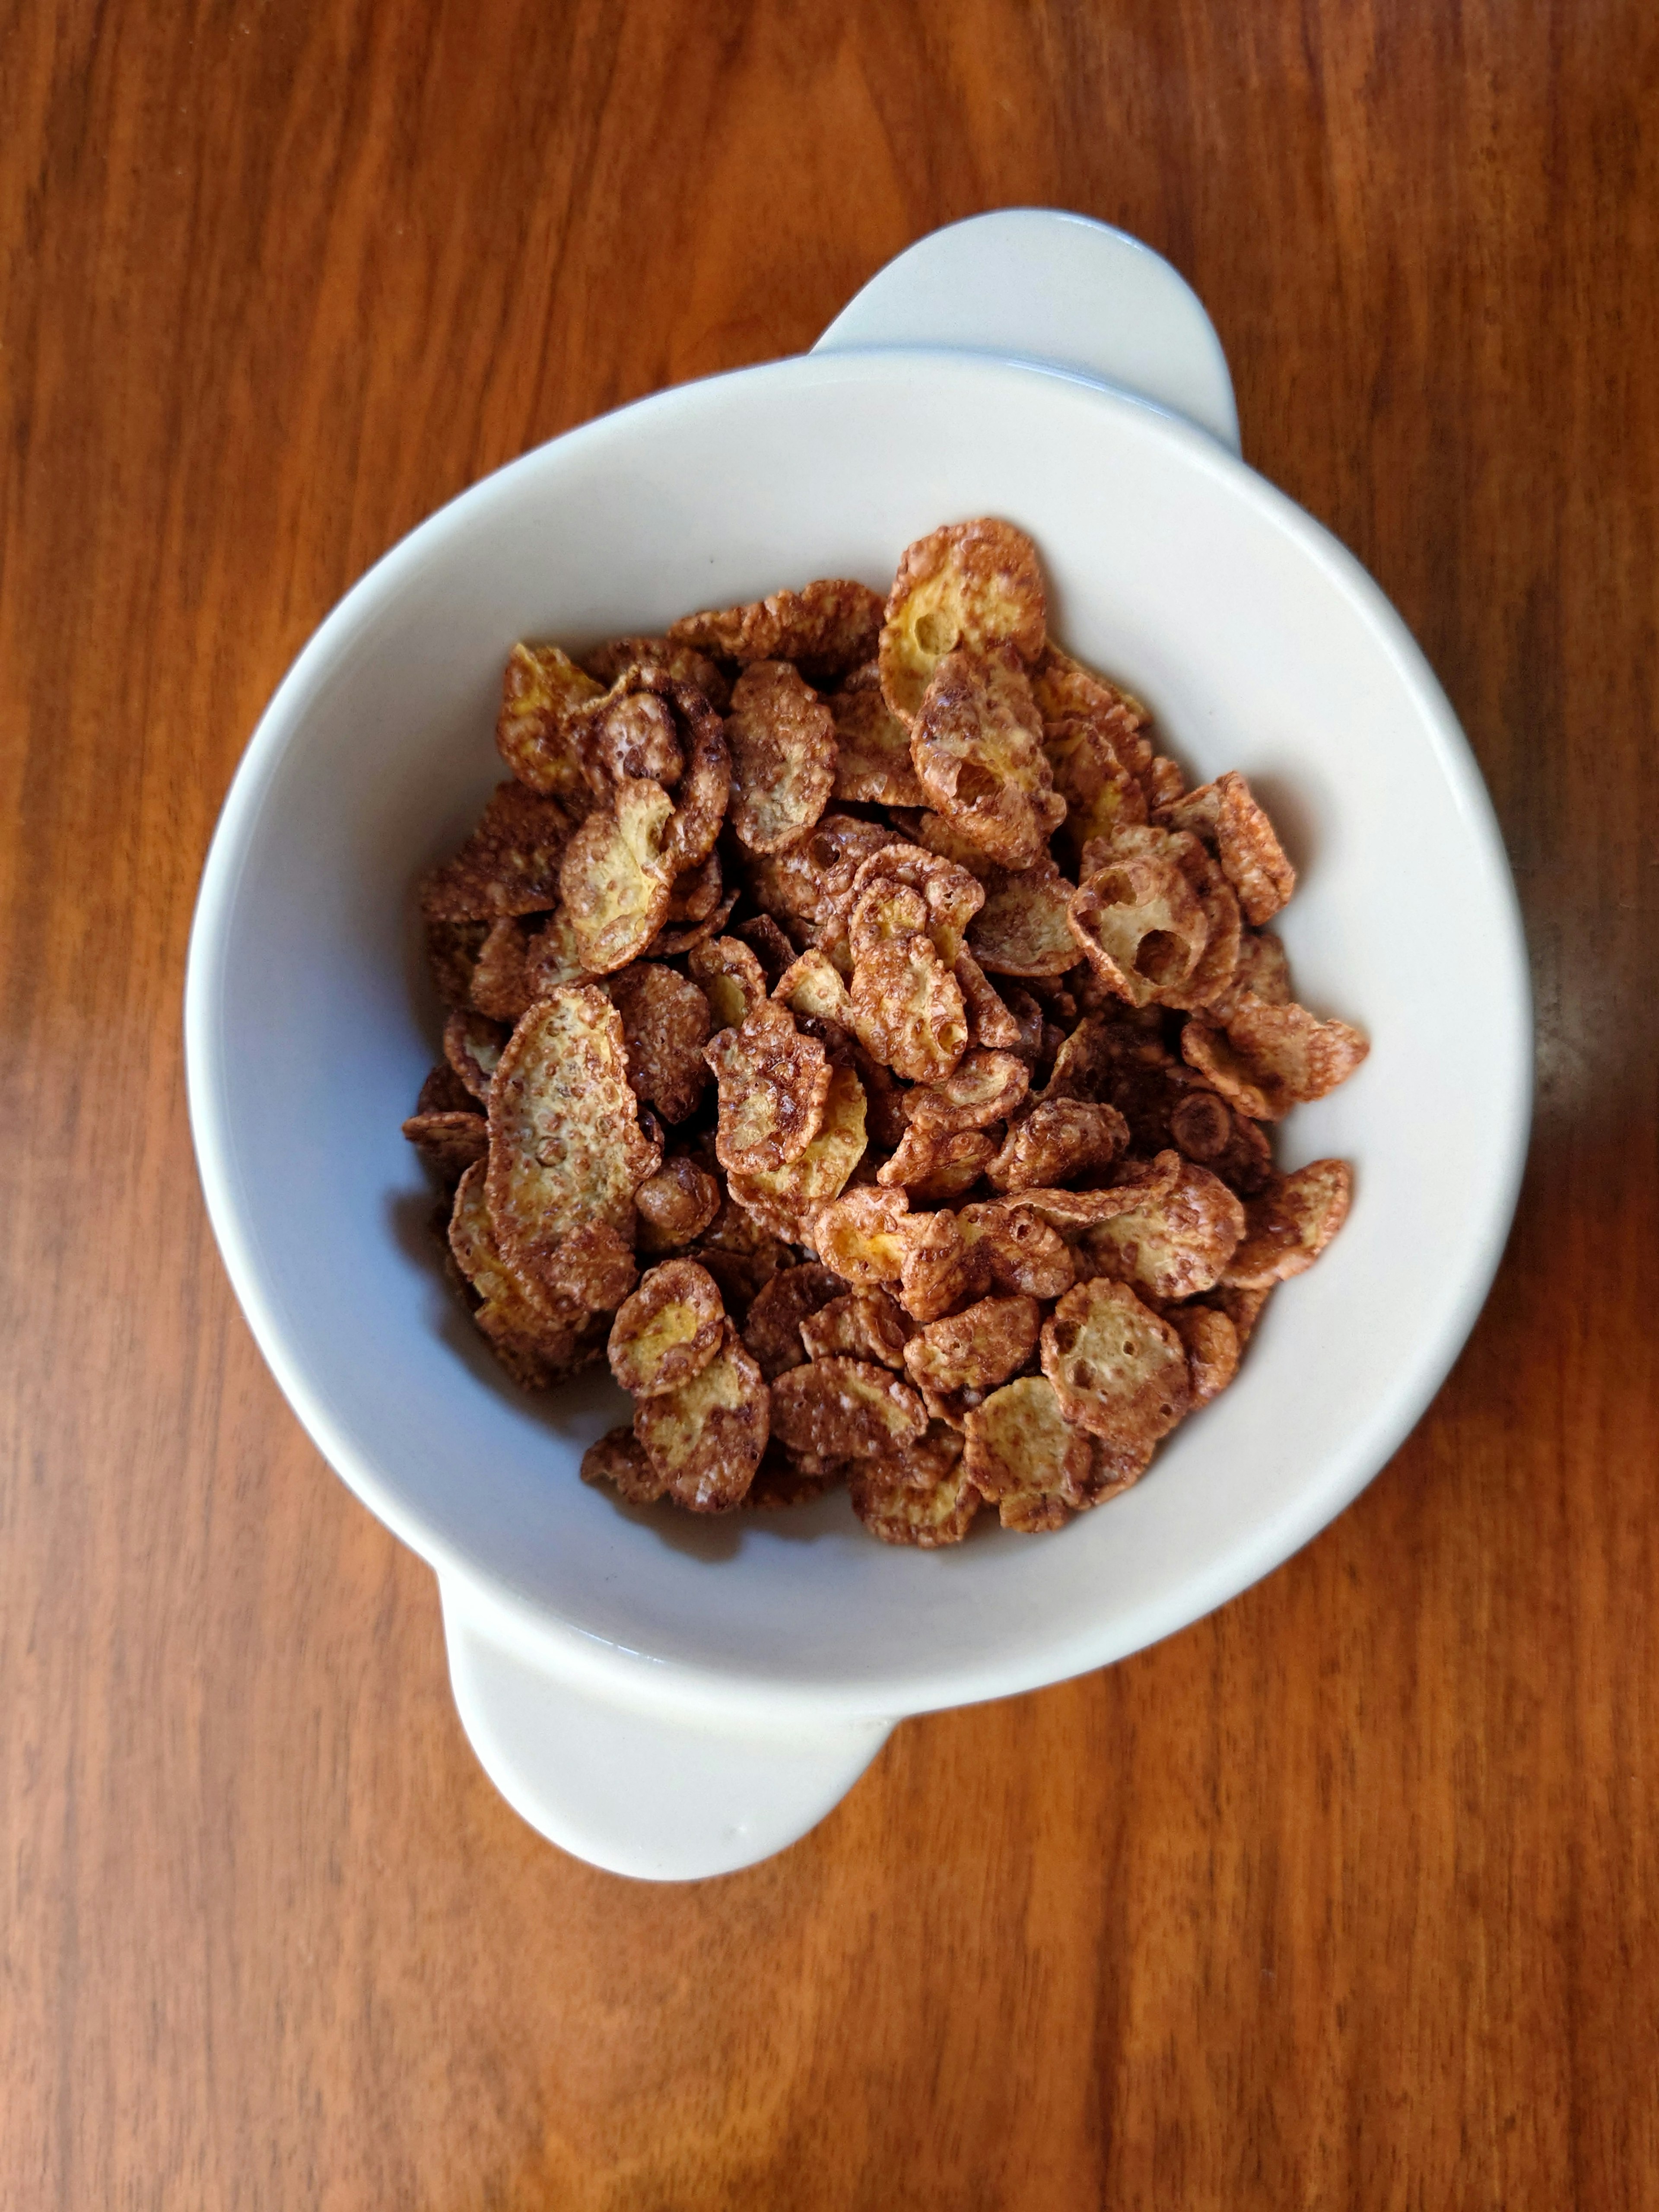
977,747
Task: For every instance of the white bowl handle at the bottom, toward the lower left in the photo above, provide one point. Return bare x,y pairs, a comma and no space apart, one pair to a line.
669,1797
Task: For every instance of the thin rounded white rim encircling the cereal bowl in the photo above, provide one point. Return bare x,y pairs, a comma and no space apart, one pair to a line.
727,1691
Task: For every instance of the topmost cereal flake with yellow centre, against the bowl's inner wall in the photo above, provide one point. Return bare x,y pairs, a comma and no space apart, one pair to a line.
970,585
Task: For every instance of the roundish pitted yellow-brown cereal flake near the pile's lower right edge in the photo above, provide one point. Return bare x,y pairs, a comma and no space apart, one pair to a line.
1118,1370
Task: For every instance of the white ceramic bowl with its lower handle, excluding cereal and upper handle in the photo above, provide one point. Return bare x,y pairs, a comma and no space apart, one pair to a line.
669,1695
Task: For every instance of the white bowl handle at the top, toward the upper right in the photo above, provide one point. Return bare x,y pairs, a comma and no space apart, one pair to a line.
1056,289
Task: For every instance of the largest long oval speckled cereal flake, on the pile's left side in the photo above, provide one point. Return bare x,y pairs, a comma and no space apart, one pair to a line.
565,1142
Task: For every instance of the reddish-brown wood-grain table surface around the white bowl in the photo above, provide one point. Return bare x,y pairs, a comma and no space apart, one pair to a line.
1346,1897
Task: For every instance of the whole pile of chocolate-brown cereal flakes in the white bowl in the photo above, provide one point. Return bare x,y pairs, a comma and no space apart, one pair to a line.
864,1036
